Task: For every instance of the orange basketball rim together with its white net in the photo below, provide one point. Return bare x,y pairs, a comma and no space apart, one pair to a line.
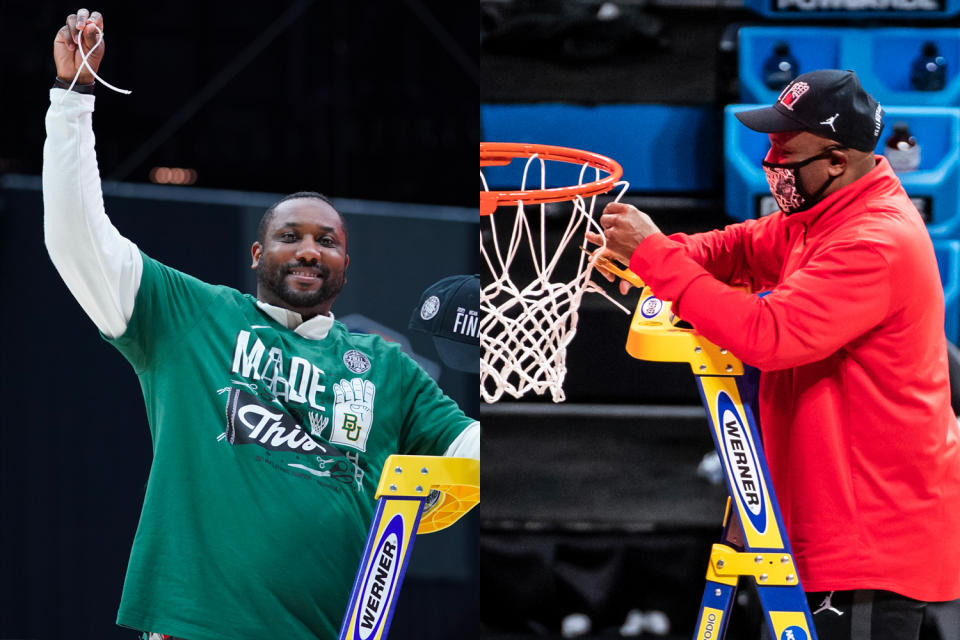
530,315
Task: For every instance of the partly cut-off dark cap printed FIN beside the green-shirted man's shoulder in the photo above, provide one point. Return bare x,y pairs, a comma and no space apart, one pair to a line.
449,310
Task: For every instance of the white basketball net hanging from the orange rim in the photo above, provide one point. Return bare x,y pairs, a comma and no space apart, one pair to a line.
525,327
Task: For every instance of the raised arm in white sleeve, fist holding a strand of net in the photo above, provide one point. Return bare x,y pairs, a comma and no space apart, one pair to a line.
101,268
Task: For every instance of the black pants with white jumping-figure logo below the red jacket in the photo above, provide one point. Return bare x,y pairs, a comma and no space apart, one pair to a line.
864,615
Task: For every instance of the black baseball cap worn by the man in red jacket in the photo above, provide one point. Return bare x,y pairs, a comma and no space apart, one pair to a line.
829,103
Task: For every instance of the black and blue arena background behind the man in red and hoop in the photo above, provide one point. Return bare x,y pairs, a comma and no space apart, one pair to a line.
595,521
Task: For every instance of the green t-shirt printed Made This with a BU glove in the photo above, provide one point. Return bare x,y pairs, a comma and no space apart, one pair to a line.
267,449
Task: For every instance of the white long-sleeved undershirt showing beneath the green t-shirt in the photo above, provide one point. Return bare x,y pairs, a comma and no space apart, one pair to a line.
101,268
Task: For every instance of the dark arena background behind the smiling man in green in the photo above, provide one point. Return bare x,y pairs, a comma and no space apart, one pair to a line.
234,104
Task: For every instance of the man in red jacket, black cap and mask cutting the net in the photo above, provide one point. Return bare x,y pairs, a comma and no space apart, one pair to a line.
854,404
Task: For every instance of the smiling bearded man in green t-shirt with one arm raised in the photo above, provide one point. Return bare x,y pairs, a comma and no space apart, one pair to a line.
270,420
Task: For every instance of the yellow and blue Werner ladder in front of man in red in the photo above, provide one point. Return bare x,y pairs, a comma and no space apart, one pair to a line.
754,542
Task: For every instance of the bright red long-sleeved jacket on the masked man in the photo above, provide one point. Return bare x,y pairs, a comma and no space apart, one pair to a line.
855,412
